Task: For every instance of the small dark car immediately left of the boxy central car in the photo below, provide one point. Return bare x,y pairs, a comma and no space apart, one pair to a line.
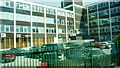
34,52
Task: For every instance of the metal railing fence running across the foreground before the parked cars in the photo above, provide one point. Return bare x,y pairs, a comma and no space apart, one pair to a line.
58,56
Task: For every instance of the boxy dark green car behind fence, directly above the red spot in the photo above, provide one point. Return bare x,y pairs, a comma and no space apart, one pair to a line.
52,54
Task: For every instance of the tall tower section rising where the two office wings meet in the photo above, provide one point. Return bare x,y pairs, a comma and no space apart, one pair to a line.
76,6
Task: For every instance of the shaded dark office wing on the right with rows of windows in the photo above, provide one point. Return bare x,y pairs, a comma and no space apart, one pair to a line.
102,20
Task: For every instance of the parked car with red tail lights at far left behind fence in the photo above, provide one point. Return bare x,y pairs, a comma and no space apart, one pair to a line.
7,56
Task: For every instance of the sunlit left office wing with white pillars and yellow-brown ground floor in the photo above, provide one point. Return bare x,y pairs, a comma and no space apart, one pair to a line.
27,24
